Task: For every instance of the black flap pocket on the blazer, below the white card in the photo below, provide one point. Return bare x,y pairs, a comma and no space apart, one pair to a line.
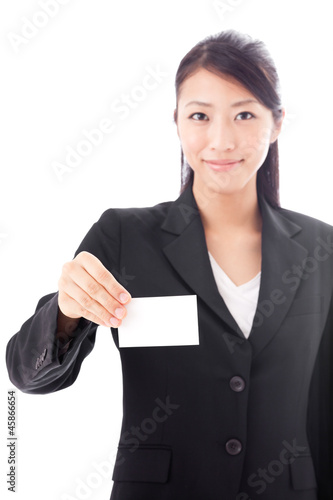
144,464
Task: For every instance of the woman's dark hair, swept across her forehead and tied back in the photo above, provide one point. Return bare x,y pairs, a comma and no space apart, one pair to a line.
248,61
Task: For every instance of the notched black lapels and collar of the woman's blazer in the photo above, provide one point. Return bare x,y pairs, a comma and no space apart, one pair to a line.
188,254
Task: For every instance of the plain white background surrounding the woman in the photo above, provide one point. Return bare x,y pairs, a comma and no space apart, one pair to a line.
64,80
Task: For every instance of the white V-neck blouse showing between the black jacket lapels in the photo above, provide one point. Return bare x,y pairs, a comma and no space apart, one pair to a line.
241,300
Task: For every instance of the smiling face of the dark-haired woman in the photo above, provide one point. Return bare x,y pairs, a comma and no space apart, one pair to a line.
224,131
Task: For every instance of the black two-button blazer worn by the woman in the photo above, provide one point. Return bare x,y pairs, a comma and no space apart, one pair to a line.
230,418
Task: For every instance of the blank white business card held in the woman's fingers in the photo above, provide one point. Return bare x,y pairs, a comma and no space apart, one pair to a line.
160,321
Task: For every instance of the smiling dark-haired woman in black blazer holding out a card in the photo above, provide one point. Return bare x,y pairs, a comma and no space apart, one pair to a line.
247,412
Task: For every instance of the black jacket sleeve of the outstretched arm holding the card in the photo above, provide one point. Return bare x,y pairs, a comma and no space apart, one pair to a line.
37,362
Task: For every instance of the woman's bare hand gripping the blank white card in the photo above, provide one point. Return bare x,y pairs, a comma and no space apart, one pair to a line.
87,289
